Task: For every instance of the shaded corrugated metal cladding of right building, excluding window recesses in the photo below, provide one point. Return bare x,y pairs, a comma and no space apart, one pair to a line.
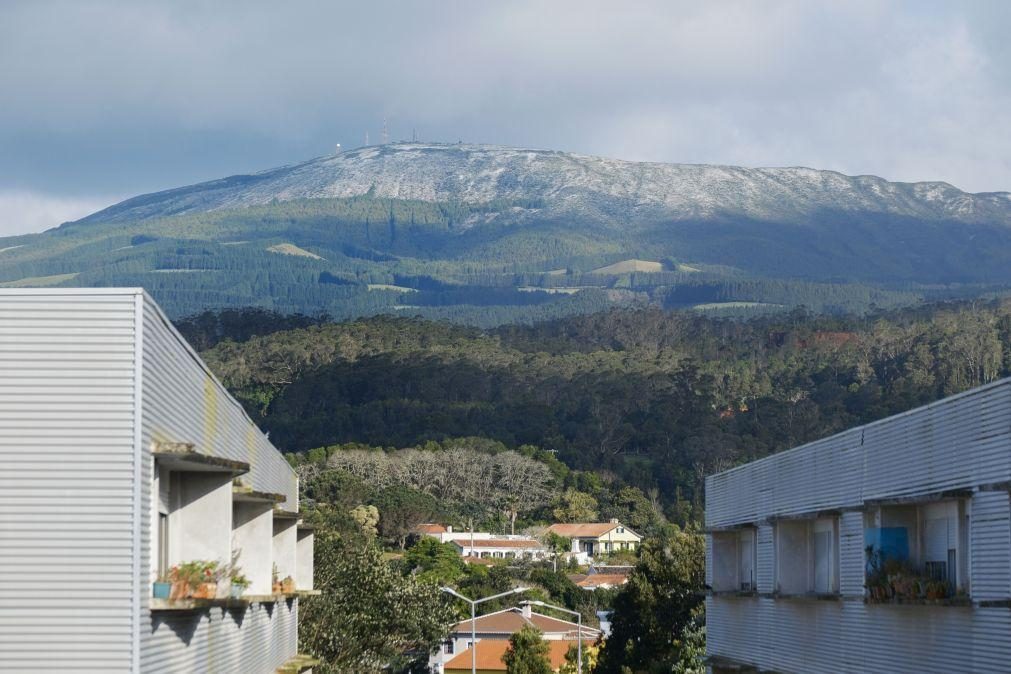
960,443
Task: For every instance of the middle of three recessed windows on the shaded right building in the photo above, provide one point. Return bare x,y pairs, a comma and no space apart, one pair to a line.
807,556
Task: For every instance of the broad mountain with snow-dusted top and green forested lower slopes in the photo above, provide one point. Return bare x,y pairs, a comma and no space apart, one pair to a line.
492,235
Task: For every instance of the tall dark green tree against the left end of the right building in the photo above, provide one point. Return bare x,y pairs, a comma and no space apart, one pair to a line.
658,605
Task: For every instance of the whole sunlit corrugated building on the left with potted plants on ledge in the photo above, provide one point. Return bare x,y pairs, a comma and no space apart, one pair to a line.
124,456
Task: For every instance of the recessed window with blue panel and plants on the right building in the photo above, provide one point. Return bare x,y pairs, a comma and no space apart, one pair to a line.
928,543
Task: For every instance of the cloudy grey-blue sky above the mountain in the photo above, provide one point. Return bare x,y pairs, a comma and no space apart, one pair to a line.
103,101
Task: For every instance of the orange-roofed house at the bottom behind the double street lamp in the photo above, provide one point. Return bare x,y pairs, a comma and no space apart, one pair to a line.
494,632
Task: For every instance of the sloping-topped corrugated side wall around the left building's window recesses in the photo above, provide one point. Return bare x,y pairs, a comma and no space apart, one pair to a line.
183,403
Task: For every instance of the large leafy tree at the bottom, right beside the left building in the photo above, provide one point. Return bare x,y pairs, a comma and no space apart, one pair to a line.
369,616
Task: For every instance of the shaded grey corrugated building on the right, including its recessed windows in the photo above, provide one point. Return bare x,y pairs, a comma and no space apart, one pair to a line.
886,548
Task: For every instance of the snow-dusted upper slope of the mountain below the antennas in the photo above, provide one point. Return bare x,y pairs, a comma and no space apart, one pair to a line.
602,189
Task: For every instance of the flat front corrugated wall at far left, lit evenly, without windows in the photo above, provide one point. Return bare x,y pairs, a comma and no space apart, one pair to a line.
67,439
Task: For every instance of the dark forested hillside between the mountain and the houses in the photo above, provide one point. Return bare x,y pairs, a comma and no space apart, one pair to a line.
654,399
